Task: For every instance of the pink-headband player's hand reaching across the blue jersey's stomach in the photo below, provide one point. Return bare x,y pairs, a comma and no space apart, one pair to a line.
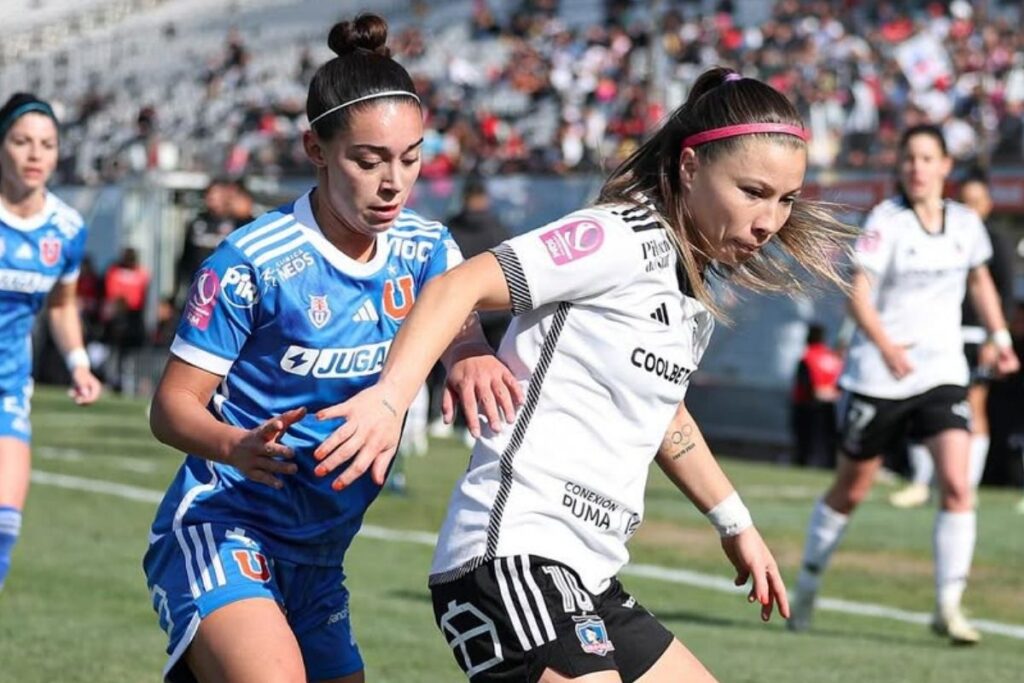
371,434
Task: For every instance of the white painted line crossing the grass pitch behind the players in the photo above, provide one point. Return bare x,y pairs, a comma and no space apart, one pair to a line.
669,575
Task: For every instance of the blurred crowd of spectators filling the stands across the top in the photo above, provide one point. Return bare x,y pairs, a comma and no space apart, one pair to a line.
530,93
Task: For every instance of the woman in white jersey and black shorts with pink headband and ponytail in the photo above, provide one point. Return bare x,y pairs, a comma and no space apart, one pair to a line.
613,315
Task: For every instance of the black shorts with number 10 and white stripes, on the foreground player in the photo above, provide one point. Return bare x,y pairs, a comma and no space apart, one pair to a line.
514,618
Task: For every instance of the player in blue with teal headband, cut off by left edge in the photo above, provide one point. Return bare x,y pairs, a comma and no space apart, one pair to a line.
42,242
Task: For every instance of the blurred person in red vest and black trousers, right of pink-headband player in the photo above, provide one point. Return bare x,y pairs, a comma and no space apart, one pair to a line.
814,402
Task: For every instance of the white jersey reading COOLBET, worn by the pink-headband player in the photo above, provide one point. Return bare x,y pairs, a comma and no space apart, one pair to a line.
604,346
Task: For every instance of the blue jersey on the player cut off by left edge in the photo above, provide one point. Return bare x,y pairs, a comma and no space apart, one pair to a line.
35,254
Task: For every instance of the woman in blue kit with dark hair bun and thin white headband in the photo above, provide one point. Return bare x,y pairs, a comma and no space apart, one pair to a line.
292,315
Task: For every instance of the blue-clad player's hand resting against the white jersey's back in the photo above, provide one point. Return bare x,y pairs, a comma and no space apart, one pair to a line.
480,380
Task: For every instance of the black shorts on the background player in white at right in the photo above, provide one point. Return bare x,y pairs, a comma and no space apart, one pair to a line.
871,426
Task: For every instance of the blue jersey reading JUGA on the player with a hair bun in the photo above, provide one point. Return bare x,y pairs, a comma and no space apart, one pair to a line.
289,321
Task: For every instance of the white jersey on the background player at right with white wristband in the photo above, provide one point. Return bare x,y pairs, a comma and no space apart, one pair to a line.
919,282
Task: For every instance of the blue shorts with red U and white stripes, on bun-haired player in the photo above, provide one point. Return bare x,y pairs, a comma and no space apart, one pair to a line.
187,586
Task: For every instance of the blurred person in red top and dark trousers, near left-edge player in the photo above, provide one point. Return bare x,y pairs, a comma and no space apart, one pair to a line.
126,285
